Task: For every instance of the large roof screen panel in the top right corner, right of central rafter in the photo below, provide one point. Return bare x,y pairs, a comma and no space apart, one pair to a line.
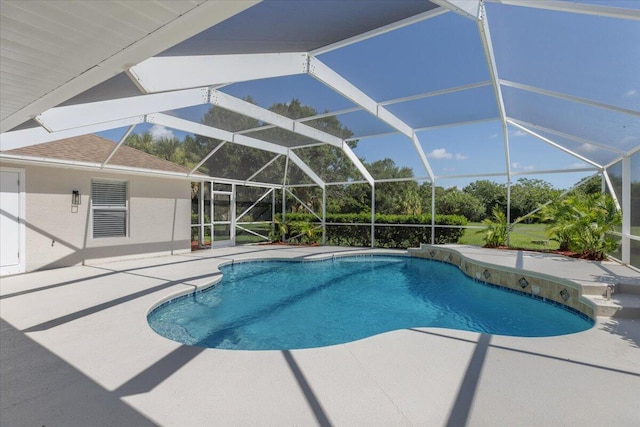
587,56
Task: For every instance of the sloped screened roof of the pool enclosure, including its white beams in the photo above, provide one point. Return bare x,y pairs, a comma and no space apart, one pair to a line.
448,89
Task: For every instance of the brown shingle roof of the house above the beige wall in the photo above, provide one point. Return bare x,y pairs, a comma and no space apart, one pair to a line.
95,149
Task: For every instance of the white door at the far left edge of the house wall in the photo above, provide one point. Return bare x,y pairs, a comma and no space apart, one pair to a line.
11,251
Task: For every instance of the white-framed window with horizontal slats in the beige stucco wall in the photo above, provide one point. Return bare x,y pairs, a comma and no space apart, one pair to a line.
109,206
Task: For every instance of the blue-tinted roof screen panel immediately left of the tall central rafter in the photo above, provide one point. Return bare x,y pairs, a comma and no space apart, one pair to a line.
439,53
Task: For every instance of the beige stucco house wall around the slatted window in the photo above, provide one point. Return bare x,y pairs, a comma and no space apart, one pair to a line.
57,235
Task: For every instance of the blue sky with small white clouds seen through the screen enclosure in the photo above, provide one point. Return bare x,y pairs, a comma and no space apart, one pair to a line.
578,55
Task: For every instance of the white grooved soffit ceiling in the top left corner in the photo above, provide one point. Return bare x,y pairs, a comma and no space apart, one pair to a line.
65,47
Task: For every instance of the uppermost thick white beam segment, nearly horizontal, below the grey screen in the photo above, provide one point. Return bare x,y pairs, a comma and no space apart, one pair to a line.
167,73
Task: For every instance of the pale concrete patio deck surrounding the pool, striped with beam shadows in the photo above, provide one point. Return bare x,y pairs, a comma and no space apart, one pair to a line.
76,350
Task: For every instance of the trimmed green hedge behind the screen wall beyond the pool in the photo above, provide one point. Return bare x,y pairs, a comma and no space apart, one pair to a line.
385,236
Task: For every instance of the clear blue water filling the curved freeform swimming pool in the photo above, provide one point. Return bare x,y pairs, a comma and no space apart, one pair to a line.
279,305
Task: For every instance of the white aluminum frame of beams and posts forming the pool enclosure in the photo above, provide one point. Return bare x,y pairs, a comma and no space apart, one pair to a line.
175,82
